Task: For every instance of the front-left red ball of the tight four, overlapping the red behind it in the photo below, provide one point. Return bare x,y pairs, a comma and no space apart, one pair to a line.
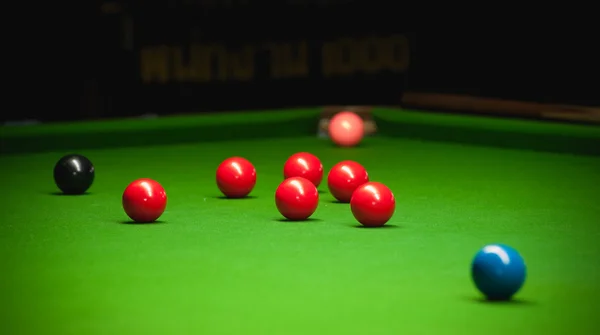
297,198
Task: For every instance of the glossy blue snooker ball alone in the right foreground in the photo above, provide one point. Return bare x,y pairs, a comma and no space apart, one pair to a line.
498,271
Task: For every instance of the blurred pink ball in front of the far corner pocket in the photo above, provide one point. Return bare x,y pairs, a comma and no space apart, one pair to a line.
346,129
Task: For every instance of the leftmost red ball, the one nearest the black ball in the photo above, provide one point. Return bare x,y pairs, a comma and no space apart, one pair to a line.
144,200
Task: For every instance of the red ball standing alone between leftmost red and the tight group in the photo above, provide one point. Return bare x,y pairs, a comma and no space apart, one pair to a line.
236,177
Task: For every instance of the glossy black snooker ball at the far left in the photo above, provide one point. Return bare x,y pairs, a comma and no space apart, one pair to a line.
74,174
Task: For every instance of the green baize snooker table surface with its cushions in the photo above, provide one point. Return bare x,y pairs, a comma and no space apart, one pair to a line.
76,265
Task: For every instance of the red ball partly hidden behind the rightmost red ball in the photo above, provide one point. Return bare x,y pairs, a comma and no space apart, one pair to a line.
344,178
